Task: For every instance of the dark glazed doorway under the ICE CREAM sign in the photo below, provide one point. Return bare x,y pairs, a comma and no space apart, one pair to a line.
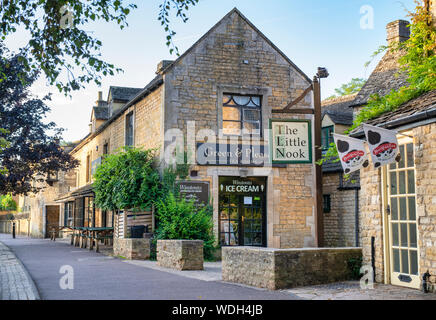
242,211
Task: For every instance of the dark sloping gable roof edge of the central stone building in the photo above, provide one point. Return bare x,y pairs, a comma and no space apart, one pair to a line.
235,10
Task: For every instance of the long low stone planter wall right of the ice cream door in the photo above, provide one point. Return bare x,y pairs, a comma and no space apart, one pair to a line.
286,268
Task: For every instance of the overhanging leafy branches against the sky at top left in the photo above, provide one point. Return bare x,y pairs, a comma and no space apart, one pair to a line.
59,44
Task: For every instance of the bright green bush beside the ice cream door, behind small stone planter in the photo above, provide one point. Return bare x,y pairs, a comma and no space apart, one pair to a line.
179,219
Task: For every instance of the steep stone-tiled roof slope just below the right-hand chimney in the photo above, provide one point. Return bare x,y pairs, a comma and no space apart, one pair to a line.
385,78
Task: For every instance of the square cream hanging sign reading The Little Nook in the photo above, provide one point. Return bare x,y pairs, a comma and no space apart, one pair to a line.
291,141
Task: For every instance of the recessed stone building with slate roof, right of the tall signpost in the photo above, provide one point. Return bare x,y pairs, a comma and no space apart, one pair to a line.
340,195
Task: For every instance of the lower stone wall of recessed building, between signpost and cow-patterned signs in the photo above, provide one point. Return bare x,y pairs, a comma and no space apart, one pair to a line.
340,222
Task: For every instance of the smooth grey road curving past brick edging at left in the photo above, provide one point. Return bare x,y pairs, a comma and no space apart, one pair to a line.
99,277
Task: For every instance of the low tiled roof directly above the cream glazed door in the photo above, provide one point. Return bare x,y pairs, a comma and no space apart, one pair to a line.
418,109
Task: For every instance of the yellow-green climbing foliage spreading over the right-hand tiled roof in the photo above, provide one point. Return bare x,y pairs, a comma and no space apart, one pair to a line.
418,61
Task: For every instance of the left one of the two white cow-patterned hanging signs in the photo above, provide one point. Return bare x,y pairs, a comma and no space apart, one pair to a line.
352,153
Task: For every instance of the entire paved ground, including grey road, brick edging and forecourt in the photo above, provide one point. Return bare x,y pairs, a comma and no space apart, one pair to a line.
97,276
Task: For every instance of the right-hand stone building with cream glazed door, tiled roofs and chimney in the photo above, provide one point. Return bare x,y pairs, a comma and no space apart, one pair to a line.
398,202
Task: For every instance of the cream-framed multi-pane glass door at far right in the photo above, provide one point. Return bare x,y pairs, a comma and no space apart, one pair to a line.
402,219
